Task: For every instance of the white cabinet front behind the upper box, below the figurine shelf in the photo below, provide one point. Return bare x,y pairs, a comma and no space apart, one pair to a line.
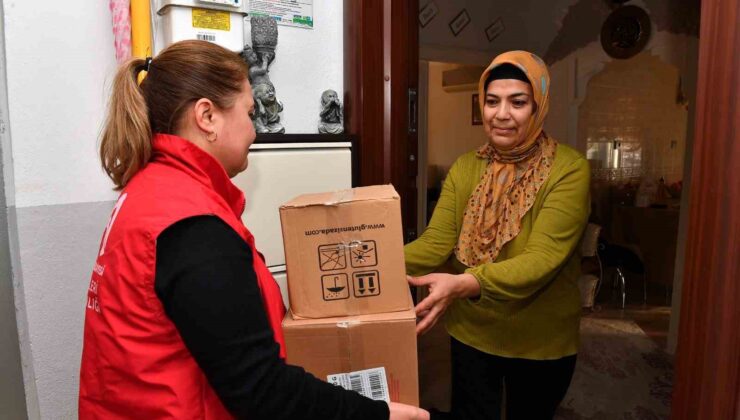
279,172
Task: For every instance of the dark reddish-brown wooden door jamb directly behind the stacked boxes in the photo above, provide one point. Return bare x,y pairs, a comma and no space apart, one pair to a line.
381,59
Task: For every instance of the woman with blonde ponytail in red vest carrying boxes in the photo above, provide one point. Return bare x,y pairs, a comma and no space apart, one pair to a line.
183,317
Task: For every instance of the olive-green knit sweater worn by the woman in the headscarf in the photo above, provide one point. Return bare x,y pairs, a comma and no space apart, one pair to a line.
529,305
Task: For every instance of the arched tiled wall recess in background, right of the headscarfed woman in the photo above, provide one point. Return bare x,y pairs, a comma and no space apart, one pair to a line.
636,102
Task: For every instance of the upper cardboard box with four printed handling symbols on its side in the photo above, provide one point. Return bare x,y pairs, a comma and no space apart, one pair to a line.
344,253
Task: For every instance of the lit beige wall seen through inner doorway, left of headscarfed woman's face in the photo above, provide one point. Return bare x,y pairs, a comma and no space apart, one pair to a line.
449,129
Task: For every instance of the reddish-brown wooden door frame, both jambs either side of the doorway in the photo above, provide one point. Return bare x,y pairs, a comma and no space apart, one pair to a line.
707,368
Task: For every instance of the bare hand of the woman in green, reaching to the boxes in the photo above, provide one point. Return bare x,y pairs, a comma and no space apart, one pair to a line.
443,289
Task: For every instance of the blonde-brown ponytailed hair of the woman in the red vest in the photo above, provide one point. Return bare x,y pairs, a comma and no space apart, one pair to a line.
180,75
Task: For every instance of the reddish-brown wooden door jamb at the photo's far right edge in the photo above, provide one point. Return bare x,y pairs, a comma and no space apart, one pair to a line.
707,367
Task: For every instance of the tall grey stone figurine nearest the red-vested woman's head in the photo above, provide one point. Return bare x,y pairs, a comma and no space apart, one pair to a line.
260,56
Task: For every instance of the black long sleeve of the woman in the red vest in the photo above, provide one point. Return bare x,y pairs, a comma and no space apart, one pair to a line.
205,280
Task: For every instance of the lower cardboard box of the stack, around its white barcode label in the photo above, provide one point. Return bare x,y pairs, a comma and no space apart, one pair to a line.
338,345
